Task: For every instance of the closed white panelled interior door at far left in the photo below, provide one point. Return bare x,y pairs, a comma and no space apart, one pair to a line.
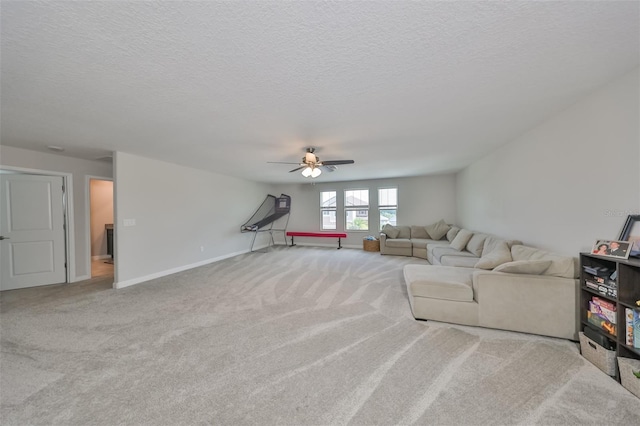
32,248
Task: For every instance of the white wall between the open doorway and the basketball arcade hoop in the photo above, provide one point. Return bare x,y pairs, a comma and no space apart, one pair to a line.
177,210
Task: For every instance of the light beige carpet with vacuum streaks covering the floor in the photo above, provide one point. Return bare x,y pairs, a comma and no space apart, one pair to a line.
297,336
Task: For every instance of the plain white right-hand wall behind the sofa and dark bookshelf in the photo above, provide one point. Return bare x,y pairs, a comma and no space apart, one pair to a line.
564,184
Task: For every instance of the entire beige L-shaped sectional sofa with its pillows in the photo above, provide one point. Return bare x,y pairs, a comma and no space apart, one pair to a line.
482,280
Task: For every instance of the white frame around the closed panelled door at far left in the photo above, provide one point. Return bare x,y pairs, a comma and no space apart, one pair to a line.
67,178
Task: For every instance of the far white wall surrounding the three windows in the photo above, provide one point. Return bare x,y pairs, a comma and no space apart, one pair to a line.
421,200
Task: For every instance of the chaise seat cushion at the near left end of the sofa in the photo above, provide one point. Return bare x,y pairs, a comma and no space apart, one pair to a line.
439,282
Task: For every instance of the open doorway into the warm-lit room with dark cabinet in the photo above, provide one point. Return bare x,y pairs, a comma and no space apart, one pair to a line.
101,227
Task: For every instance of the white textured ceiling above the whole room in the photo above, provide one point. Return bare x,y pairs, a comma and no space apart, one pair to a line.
402,88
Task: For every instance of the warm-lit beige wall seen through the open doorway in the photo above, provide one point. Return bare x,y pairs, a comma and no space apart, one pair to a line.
101,195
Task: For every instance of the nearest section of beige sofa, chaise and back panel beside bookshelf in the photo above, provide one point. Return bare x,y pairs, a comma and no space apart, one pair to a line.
535,292
